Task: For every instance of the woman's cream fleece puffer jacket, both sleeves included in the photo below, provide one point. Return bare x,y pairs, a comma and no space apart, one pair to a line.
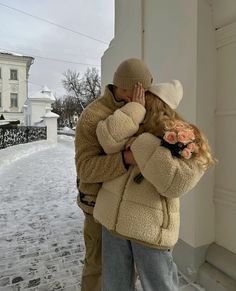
147,212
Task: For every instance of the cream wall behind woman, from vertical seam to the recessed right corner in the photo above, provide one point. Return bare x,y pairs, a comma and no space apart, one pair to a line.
179,44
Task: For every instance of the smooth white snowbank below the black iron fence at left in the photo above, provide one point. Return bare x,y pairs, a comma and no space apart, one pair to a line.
13,153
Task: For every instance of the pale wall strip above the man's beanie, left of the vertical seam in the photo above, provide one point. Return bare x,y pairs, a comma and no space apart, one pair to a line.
128,38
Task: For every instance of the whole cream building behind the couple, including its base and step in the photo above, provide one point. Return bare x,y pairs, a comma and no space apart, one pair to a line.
193,41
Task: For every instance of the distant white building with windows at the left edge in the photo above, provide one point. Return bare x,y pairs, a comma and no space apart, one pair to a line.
14,74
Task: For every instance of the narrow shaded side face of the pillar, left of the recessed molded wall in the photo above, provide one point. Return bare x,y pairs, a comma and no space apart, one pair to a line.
205,119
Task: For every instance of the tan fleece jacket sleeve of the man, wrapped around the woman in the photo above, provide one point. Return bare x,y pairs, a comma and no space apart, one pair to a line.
92,164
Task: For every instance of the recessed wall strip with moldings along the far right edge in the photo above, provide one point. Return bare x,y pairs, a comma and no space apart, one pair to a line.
225,192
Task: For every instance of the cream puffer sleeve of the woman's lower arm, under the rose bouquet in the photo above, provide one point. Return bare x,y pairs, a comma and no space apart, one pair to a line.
171,176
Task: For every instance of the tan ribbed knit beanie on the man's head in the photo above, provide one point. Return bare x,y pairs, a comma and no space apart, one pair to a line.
131,71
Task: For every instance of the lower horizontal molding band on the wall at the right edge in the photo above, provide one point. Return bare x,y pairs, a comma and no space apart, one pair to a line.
225,197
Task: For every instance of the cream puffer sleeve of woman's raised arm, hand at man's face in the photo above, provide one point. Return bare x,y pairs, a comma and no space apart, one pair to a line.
116,129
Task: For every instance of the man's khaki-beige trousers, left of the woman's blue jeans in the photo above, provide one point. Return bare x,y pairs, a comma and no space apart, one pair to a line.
92,271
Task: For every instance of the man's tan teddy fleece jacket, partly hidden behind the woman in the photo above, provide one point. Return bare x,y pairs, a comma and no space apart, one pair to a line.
93,165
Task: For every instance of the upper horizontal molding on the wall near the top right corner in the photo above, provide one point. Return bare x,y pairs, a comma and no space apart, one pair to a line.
225,35
